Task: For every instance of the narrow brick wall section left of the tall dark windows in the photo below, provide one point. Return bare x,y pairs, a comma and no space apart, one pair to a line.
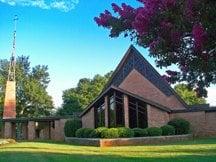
88,119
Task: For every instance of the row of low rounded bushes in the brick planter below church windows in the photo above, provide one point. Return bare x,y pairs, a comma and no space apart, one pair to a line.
177,126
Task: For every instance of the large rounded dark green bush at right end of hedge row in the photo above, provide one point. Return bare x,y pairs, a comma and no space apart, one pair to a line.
181,126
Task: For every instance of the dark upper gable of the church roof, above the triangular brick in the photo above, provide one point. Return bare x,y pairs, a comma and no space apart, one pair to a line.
133,59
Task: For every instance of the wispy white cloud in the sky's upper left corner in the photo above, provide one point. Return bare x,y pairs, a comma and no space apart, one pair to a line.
62,5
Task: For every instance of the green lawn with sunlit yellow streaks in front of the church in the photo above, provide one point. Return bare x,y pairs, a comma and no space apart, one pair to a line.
193,151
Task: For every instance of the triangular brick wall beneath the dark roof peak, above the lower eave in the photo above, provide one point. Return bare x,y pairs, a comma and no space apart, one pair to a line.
137,84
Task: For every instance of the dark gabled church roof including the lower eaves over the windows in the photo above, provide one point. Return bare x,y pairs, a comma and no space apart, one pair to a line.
133,59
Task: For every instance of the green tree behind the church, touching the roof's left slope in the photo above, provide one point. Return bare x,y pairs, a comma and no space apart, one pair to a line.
76,99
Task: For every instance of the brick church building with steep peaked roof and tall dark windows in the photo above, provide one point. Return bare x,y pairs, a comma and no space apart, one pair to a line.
137,96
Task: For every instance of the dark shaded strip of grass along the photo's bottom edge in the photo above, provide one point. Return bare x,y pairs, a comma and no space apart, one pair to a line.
57,157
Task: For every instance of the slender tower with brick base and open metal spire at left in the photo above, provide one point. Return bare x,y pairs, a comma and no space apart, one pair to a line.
10,92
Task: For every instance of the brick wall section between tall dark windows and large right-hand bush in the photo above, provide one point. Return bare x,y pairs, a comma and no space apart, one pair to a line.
156,117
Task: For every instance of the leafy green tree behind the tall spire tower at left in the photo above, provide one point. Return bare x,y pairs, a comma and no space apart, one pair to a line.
31,83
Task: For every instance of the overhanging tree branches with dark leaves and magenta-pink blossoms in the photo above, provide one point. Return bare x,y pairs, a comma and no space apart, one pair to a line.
180,32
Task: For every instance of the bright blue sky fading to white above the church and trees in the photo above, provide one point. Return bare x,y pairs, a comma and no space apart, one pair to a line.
63,35
